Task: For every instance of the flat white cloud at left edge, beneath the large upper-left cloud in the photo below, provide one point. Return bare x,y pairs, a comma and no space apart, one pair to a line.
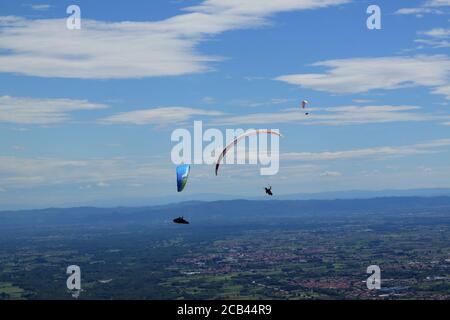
41,111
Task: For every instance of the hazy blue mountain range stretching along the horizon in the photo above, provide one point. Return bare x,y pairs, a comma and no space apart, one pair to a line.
227,213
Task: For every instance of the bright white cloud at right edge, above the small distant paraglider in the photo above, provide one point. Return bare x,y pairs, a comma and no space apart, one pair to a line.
364,74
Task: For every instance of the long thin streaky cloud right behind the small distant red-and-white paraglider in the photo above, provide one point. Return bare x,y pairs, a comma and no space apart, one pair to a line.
345,115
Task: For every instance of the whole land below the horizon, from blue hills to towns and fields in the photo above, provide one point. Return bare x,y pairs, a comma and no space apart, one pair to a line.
290,250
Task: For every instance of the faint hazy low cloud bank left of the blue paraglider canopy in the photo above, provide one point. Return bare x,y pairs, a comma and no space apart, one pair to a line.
21,172
